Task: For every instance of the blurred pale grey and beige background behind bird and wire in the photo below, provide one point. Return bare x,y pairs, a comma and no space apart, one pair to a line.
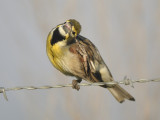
127,34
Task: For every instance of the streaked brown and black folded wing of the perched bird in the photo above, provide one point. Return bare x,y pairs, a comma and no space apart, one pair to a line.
91,60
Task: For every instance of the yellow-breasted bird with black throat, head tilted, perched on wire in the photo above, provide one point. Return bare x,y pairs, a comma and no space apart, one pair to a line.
75,55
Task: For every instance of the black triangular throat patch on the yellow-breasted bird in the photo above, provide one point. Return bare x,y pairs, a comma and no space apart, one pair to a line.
56,37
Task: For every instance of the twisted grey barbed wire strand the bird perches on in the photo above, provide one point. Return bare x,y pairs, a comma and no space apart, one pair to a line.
125,81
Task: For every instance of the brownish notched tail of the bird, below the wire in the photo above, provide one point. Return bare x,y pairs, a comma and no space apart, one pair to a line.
120,94
